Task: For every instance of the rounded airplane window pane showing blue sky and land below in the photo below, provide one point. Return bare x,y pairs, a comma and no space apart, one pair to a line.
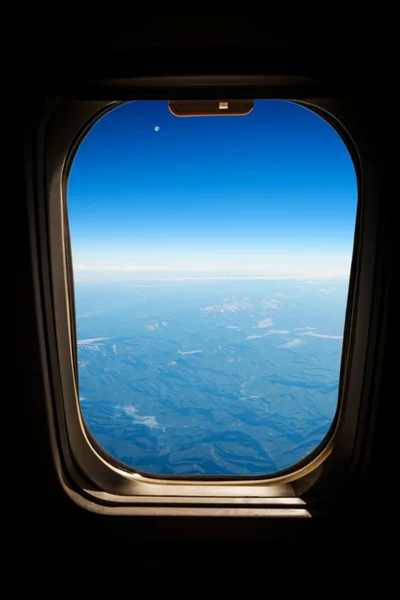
211,269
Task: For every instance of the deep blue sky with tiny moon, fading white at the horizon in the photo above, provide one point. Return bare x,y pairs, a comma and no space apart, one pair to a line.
270,194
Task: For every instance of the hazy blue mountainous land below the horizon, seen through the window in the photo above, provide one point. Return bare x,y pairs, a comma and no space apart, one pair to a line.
200,378
